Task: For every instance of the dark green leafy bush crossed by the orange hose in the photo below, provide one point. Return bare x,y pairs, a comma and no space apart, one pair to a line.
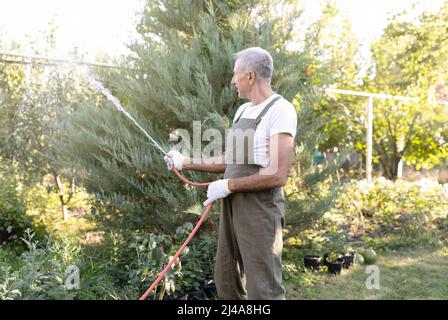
140,256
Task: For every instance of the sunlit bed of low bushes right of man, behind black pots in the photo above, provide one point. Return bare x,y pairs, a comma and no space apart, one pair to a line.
382,214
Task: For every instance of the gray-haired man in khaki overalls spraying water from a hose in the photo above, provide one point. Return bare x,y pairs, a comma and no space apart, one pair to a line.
252,216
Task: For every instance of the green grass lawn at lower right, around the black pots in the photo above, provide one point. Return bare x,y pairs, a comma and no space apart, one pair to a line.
418,273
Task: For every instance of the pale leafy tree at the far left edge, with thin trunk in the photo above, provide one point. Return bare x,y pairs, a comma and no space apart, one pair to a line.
34,97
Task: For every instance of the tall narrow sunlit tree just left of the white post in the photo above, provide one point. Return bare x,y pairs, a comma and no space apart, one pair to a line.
337,63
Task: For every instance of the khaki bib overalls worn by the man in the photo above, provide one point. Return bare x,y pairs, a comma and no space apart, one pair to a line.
250,233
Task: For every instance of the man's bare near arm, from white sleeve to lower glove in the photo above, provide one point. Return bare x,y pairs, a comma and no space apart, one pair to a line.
281,151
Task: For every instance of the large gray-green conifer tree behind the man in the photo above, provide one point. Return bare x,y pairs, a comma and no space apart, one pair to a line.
179,72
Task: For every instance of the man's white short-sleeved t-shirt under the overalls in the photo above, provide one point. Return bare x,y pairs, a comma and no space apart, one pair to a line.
281,117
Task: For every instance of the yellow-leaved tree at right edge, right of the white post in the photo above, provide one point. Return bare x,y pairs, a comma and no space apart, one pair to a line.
410,61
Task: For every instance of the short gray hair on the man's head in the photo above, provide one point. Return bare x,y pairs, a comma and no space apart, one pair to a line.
258,60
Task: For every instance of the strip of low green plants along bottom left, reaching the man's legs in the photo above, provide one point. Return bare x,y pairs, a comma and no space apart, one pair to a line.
120,269
